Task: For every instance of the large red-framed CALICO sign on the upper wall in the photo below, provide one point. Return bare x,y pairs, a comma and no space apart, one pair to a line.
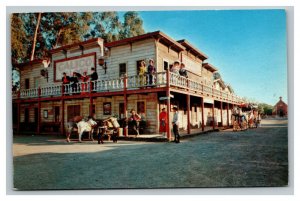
77,64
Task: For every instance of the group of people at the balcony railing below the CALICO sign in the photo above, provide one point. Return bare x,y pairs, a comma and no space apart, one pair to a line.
77,77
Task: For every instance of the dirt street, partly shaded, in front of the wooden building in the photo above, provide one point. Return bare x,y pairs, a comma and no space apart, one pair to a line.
256,157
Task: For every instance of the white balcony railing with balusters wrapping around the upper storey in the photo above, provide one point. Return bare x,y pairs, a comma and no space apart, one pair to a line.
130,83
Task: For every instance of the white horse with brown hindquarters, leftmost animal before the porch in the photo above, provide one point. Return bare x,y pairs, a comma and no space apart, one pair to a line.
82,126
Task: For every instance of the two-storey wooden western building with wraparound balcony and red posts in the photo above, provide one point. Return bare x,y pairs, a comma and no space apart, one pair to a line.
44,104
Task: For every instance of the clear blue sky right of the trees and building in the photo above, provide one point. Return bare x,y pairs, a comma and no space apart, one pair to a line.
247,46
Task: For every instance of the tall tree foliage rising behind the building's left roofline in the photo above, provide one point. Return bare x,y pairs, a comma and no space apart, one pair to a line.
58,29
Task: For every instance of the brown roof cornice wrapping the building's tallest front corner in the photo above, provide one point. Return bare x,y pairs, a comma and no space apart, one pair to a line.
163,38
